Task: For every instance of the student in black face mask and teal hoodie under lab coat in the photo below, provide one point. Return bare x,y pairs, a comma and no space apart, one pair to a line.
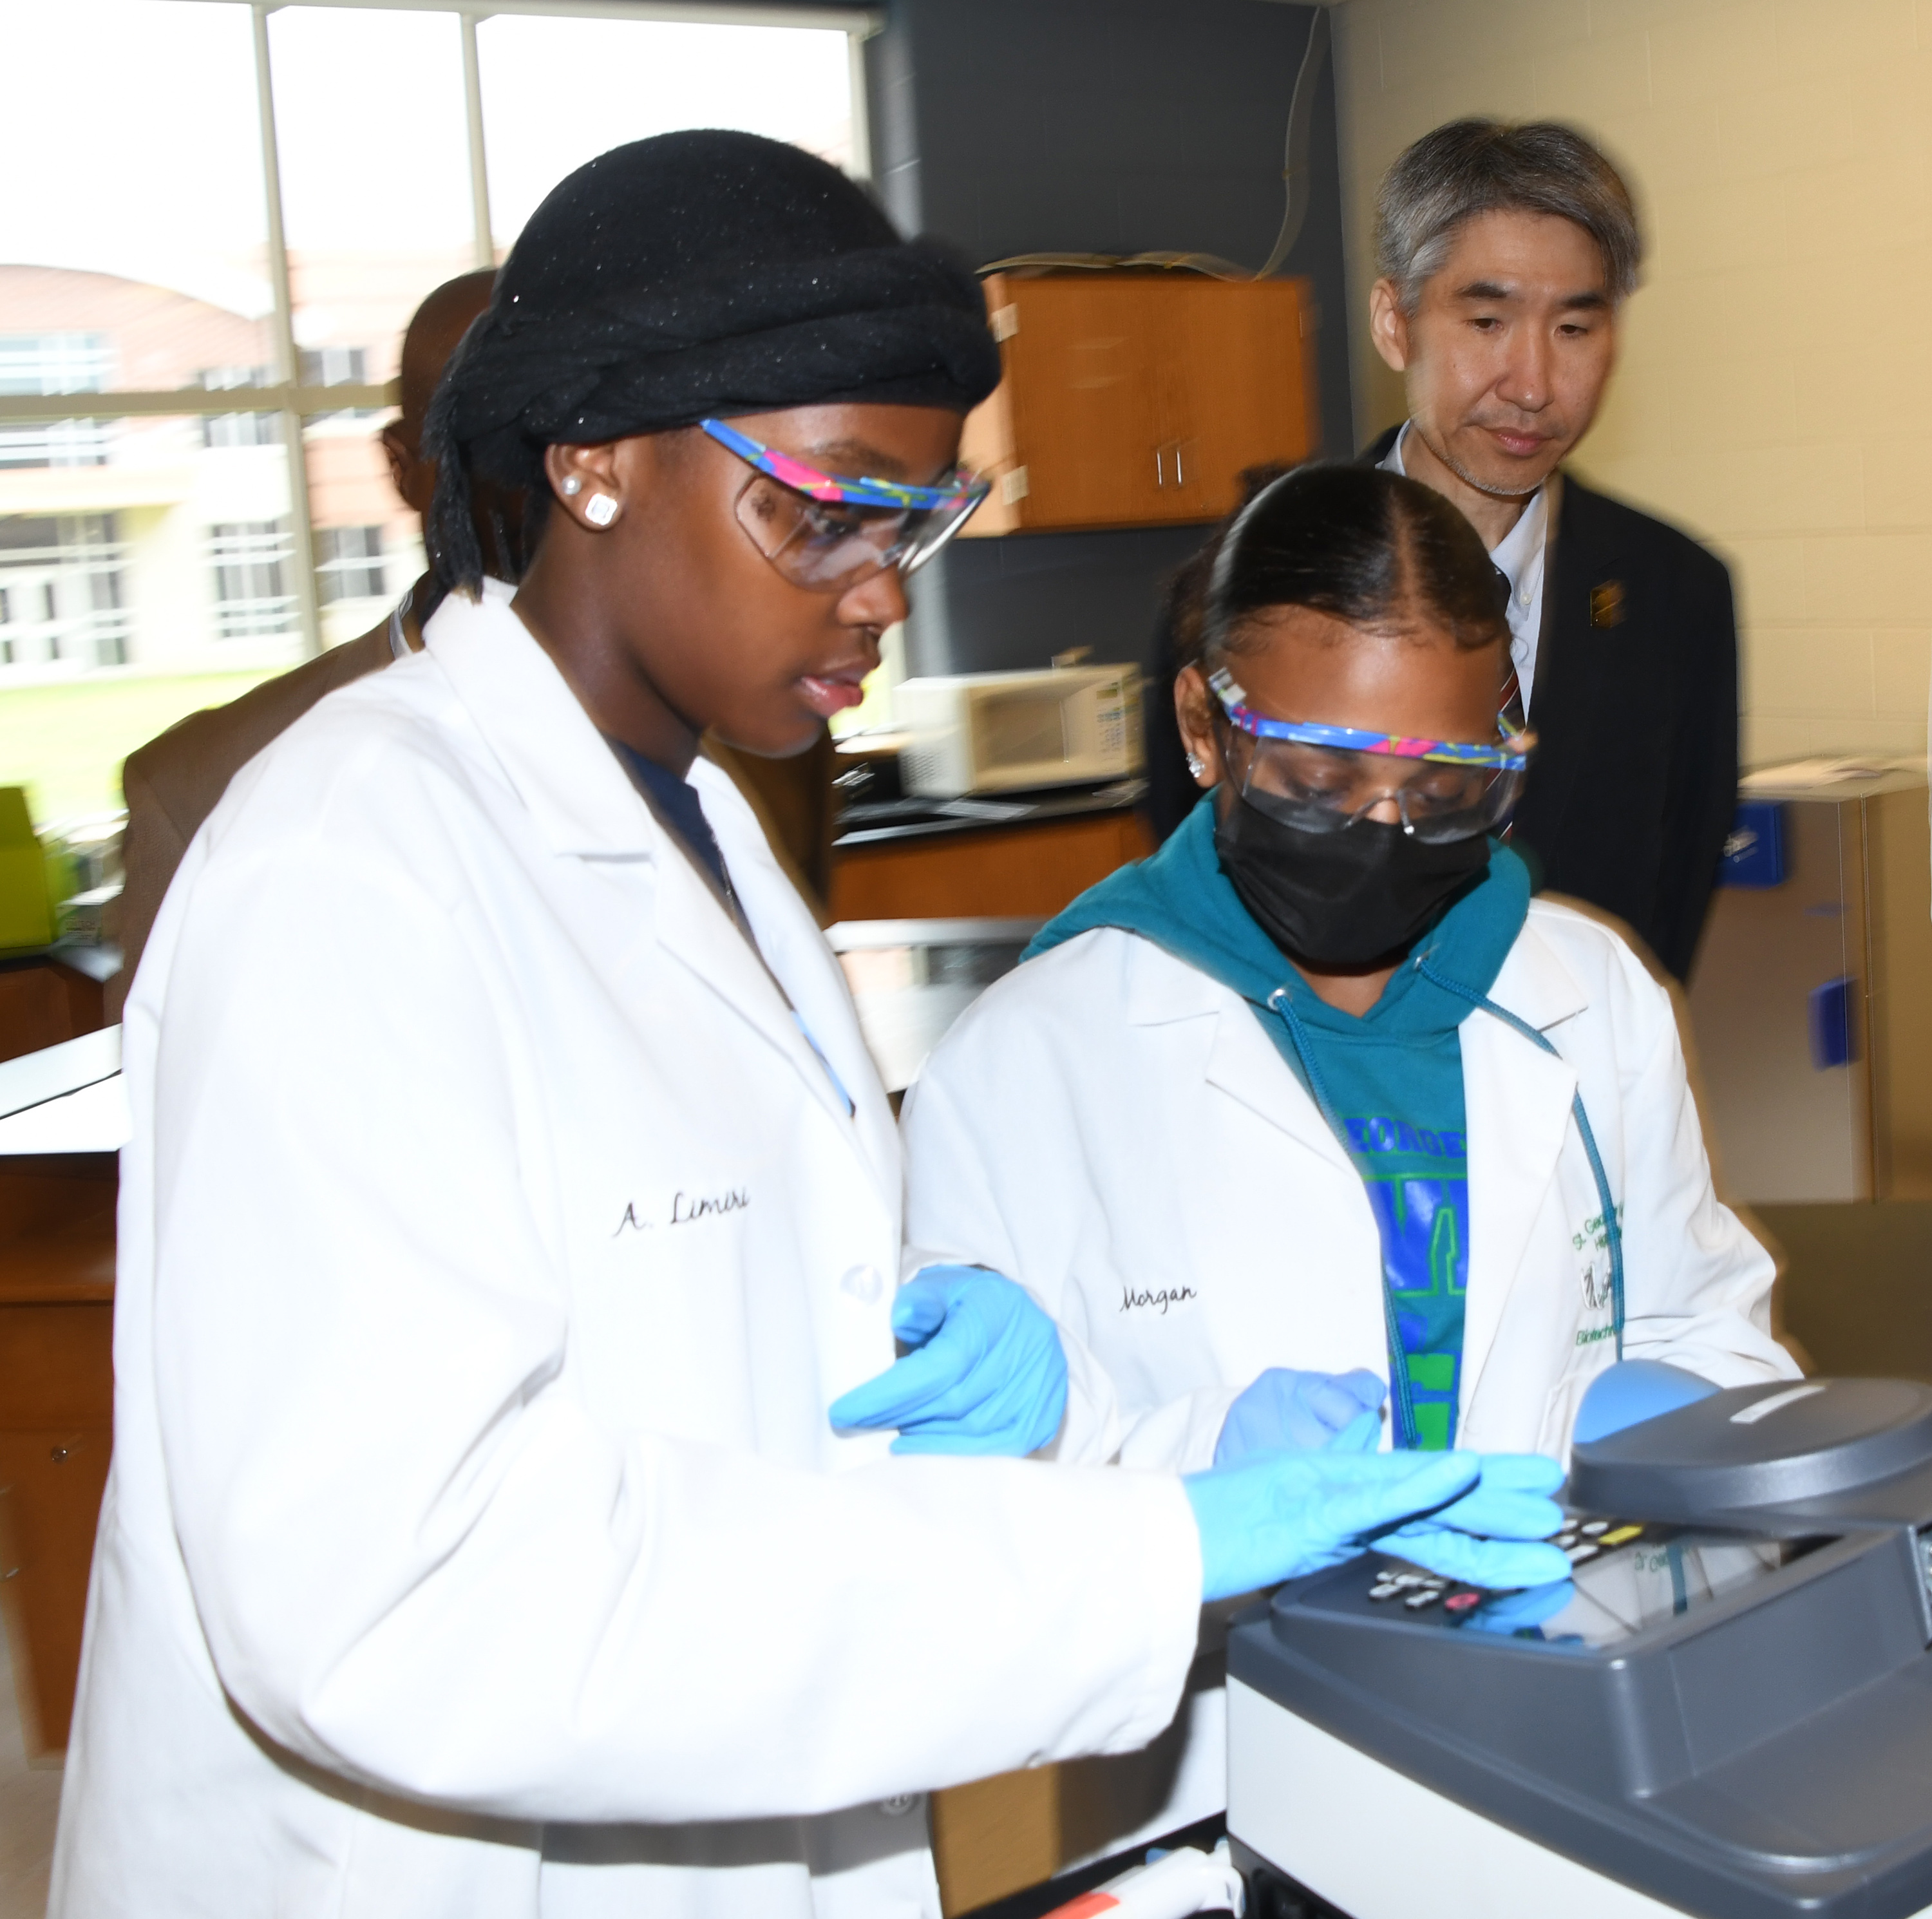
1317,1110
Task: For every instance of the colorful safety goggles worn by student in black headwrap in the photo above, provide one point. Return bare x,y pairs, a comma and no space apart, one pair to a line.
826,532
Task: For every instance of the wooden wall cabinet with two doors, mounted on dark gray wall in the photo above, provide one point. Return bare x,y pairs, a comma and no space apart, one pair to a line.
1139,399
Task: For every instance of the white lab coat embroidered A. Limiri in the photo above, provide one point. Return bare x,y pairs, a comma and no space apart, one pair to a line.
492,1247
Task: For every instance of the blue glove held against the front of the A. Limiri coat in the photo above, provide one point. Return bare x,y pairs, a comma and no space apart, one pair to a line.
986,1373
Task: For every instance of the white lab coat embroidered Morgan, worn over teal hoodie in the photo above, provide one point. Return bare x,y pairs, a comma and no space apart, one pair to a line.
1116,1130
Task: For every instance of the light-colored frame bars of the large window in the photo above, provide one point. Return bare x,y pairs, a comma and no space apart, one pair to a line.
293,401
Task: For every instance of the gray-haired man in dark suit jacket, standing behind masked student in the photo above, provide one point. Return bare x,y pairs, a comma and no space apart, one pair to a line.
1506,256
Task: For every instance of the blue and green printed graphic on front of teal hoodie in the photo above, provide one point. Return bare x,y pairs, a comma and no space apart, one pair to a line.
1419,1189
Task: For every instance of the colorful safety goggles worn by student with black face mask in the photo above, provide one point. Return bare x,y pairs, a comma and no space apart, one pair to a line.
1326,778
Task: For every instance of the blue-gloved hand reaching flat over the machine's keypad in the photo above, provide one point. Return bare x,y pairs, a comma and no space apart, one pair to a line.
1280,1516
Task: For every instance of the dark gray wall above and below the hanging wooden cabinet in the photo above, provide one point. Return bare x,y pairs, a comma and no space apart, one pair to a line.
1094,127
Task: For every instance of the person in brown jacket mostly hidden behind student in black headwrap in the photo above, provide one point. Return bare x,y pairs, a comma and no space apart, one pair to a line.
177,780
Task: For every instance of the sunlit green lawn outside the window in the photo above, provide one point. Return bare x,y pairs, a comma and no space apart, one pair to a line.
67,743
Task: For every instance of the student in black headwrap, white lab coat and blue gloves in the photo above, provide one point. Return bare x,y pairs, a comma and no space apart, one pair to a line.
511,1205
